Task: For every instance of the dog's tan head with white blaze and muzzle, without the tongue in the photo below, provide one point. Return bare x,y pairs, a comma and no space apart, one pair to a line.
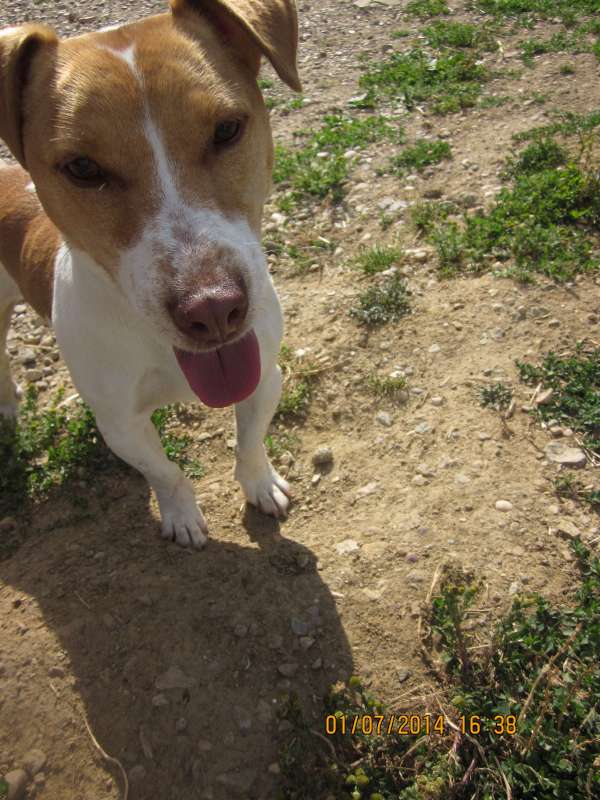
150,149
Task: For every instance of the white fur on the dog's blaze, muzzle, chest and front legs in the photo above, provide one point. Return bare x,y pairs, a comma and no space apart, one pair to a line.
117,339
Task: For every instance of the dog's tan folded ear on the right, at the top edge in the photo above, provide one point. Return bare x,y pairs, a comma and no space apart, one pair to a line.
272,25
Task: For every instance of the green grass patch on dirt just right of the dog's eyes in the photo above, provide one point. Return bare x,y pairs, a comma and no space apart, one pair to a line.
307,174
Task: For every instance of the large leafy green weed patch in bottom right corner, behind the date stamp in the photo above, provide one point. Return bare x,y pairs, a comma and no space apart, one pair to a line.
514,710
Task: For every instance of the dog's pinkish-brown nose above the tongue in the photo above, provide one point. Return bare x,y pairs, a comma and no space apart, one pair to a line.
213,317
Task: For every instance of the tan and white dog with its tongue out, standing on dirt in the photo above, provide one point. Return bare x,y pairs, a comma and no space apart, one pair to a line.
132,225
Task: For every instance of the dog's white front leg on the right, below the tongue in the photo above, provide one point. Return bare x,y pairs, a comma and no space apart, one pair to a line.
261,484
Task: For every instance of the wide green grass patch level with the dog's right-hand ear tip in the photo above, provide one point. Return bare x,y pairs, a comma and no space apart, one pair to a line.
449,82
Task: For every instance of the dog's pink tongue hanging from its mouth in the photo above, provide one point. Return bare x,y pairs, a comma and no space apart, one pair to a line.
224,376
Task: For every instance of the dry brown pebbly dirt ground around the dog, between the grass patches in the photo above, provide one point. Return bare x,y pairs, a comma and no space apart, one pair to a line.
177,659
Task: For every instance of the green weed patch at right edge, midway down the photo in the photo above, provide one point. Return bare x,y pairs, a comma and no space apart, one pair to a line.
575,402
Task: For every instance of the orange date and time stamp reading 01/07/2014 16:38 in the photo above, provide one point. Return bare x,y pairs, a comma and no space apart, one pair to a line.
417,724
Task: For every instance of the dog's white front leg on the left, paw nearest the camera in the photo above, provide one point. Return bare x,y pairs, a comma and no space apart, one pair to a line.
135,439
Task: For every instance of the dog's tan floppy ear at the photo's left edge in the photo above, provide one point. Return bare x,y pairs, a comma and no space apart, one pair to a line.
17,49
